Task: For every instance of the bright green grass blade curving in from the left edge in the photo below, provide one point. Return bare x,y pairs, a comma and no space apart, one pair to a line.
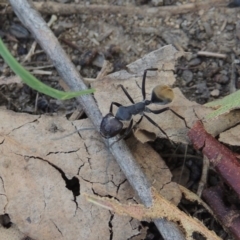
33,82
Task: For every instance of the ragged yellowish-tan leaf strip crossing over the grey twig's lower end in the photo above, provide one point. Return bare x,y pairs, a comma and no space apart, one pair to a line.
160,208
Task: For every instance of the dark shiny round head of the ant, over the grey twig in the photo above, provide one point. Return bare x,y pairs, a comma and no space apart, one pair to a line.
110,126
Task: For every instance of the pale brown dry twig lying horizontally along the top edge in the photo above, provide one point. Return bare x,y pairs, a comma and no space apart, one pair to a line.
68,9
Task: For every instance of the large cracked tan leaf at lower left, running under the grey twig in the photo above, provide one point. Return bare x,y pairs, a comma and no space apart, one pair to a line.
35,169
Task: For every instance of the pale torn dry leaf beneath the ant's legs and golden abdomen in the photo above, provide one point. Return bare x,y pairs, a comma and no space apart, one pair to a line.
176,128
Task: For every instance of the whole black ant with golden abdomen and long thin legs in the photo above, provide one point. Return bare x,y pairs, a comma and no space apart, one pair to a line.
112,125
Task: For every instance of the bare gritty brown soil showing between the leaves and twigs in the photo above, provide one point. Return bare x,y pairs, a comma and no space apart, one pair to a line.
122,39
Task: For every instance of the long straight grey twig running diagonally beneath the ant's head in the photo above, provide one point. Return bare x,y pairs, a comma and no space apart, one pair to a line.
41,32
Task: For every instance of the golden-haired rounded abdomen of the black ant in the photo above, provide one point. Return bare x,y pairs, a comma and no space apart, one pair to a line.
162,94
